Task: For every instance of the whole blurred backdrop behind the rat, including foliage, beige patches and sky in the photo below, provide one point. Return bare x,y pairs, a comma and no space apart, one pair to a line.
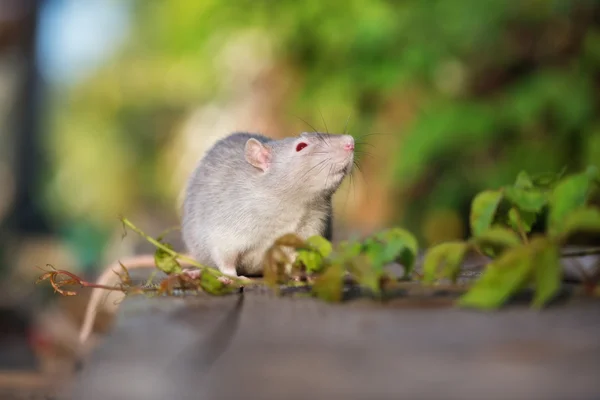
450,96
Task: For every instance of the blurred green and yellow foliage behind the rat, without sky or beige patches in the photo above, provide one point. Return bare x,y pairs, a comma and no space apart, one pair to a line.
497,86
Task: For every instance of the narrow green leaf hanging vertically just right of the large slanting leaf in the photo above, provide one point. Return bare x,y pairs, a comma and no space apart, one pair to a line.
548,271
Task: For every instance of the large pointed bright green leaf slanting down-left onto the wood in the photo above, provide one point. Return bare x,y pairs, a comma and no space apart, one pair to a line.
502,278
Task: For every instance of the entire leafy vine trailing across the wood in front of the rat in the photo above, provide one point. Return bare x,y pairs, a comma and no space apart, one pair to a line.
501,221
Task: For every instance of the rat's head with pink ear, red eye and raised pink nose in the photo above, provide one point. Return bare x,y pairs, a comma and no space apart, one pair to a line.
309,164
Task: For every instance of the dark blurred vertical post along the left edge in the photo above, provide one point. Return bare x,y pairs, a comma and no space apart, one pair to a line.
22,148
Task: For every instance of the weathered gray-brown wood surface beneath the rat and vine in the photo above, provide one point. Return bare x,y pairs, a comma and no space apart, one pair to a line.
258,346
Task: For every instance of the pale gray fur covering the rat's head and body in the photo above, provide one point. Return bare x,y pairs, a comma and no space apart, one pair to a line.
234,211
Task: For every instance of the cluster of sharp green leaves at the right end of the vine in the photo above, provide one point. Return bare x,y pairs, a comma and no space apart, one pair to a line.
501,221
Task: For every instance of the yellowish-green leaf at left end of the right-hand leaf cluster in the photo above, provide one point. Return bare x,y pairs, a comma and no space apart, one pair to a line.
448,256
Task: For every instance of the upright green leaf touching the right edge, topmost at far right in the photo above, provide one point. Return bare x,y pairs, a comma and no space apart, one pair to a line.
569,194
